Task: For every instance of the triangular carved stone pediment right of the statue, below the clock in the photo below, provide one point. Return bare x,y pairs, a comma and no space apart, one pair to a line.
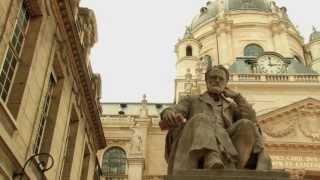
297,122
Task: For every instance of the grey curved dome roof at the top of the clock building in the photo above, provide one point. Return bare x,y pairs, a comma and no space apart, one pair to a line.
213,8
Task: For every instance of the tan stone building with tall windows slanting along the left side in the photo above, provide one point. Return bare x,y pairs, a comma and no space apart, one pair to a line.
49,96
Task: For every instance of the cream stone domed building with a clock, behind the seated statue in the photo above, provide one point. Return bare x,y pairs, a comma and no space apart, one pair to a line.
269,63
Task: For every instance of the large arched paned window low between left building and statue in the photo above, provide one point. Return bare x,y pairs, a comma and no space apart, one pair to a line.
114,162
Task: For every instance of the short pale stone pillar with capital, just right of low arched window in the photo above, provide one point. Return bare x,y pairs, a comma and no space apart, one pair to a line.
135,168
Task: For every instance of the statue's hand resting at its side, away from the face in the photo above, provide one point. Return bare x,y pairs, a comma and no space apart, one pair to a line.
171,119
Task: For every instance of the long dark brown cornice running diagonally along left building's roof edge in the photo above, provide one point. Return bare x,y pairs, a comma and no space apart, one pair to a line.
70,29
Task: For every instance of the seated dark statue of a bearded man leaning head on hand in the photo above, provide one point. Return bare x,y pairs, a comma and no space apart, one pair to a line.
214,130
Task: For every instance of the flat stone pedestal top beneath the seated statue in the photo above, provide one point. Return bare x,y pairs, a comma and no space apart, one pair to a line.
230,175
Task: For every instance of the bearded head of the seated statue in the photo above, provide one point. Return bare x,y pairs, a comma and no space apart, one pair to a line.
216,79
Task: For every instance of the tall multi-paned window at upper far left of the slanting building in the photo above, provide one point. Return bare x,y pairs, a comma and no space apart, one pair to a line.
13,53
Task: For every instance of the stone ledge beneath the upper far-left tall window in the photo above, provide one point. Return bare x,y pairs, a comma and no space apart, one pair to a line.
6,117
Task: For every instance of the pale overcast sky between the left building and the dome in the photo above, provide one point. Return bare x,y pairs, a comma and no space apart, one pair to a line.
136,38
